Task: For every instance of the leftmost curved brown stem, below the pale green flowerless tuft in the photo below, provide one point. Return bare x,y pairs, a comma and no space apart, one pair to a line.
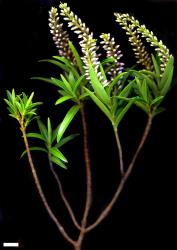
40,191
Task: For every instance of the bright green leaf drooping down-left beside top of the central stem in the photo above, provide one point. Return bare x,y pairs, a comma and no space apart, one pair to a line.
66,121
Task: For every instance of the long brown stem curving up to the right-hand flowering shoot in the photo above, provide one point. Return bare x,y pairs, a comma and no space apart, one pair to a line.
124,178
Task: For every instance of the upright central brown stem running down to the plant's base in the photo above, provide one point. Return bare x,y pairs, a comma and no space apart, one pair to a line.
88,180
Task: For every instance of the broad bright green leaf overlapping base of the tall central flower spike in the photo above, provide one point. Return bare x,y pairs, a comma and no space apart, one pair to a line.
98,87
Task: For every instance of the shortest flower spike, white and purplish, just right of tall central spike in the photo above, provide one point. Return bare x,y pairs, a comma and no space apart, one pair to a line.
112,51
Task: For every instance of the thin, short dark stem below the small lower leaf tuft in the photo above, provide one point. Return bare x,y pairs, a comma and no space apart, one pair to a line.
62,194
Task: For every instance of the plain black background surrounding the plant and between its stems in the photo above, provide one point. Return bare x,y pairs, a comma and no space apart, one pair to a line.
145,215
